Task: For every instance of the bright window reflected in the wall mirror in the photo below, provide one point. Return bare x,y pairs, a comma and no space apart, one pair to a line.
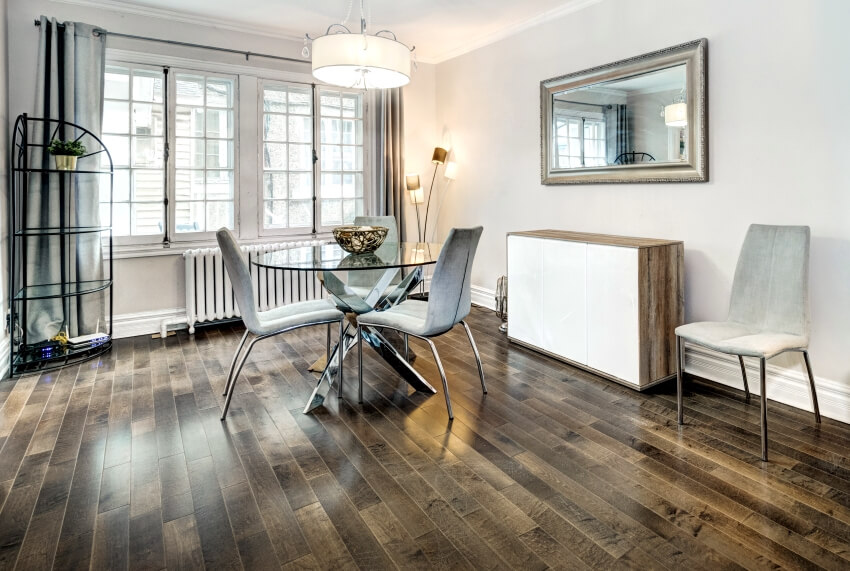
580,140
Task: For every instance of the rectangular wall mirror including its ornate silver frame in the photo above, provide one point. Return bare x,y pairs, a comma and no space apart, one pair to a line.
643,119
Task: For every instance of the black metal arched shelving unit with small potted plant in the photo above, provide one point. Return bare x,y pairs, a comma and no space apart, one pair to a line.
67,297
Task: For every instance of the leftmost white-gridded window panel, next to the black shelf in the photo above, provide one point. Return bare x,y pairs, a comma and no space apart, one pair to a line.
133,116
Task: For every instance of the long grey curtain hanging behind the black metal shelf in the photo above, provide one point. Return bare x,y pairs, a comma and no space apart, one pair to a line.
69,87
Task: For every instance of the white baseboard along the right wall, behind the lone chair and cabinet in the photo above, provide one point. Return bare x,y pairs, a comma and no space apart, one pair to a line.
787,386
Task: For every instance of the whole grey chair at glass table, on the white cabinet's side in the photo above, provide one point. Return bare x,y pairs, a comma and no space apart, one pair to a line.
449,302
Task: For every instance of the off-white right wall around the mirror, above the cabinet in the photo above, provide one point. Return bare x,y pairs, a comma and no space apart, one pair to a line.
778,145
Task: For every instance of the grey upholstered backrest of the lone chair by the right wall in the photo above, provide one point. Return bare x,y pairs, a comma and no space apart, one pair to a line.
771,285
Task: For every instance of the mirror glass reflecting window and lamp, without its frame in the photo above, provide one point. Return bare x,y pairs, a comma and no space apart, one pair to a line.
638,119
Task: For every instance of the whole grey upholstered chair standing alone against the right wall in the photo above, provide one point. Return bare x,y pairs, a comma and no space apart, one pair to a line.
768,310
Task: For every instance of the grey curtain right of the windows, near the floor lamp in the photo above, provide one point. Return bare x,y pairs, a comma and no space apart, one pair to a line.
389,148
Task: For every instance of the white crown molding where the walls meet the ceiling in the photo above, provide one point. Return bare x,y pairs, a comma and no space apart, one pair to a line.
122,7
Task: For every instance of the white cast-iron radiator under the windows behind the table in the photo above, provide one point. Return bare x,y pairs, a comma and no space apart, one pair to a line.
209,294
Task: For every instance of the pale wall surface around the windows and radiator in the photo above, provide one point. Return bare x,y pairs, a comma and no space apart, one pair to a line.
157,283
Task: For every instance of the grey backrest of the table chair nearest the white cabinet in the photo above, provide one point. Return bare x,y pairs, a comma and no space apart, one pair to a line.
449,299
